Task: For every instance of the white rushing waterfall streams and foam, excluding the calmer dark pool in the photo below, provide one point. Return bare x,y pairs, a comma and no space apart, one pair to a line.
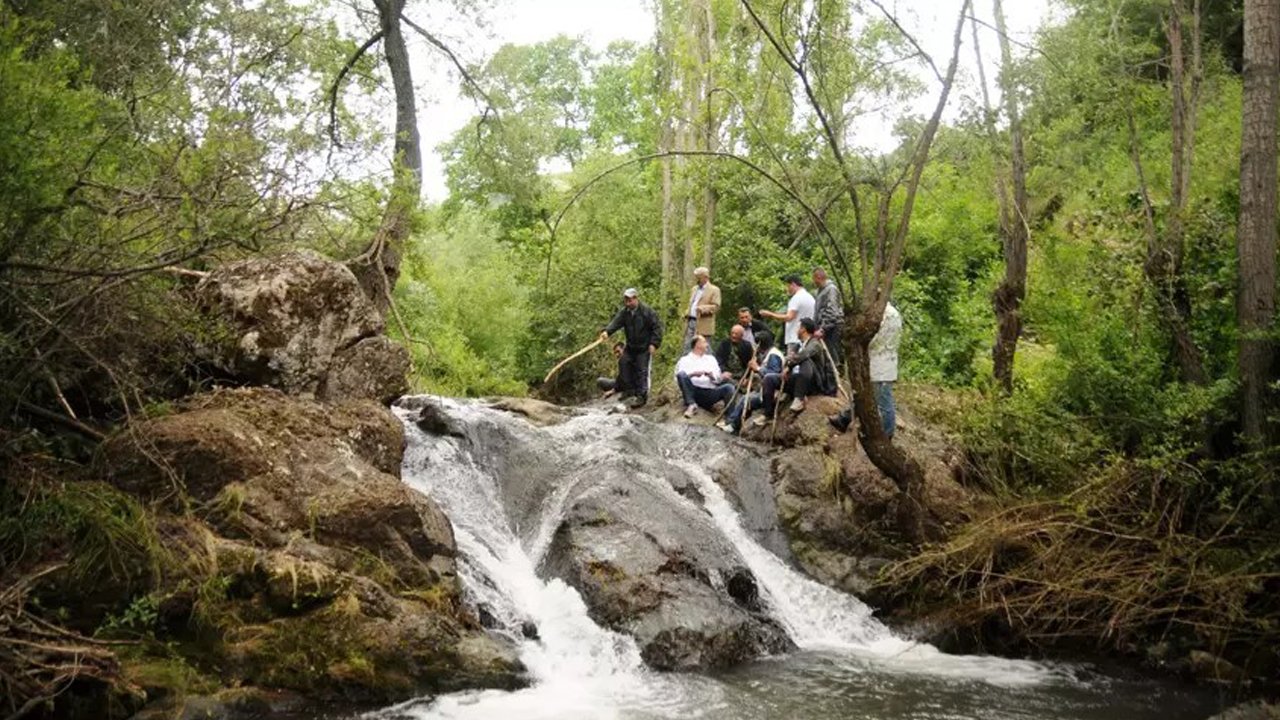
578,668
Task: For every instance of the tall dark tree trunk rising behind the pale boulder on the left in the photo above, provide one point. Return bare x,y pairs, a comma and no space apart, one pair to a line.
378,268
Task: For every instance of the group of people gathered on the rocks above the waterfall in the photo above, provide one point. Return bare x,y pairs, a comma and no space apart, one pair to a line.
806,363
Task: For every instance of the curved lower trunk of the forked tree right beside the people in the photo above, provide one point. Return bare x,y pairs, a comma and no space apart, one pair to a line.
890,459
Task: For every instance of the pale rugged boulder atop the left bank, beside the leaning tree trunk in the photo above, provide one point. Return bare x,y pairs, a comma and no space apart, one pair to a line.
303,323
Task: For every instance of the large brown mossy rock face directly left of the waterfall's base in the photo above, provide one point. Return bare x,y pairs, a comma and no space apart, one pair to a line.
303,562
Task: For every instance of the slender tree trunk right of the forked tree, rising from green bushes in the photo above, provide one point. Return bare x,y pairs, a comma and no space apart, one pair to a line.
1009,297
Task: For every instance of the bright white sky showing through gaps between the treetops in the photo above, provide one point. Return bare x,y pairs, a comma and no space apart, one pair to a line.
442,111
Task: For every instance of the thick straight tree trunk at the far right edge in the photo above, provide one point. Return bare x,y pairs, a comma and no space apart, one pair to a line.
1256,239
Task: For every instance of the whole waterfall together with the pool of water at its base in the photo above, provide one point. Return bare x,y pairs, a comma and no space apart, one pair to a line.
579,669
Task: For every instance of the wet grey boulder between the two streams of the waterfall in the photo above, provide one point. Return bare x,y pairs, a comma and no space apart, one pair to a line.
655,568
